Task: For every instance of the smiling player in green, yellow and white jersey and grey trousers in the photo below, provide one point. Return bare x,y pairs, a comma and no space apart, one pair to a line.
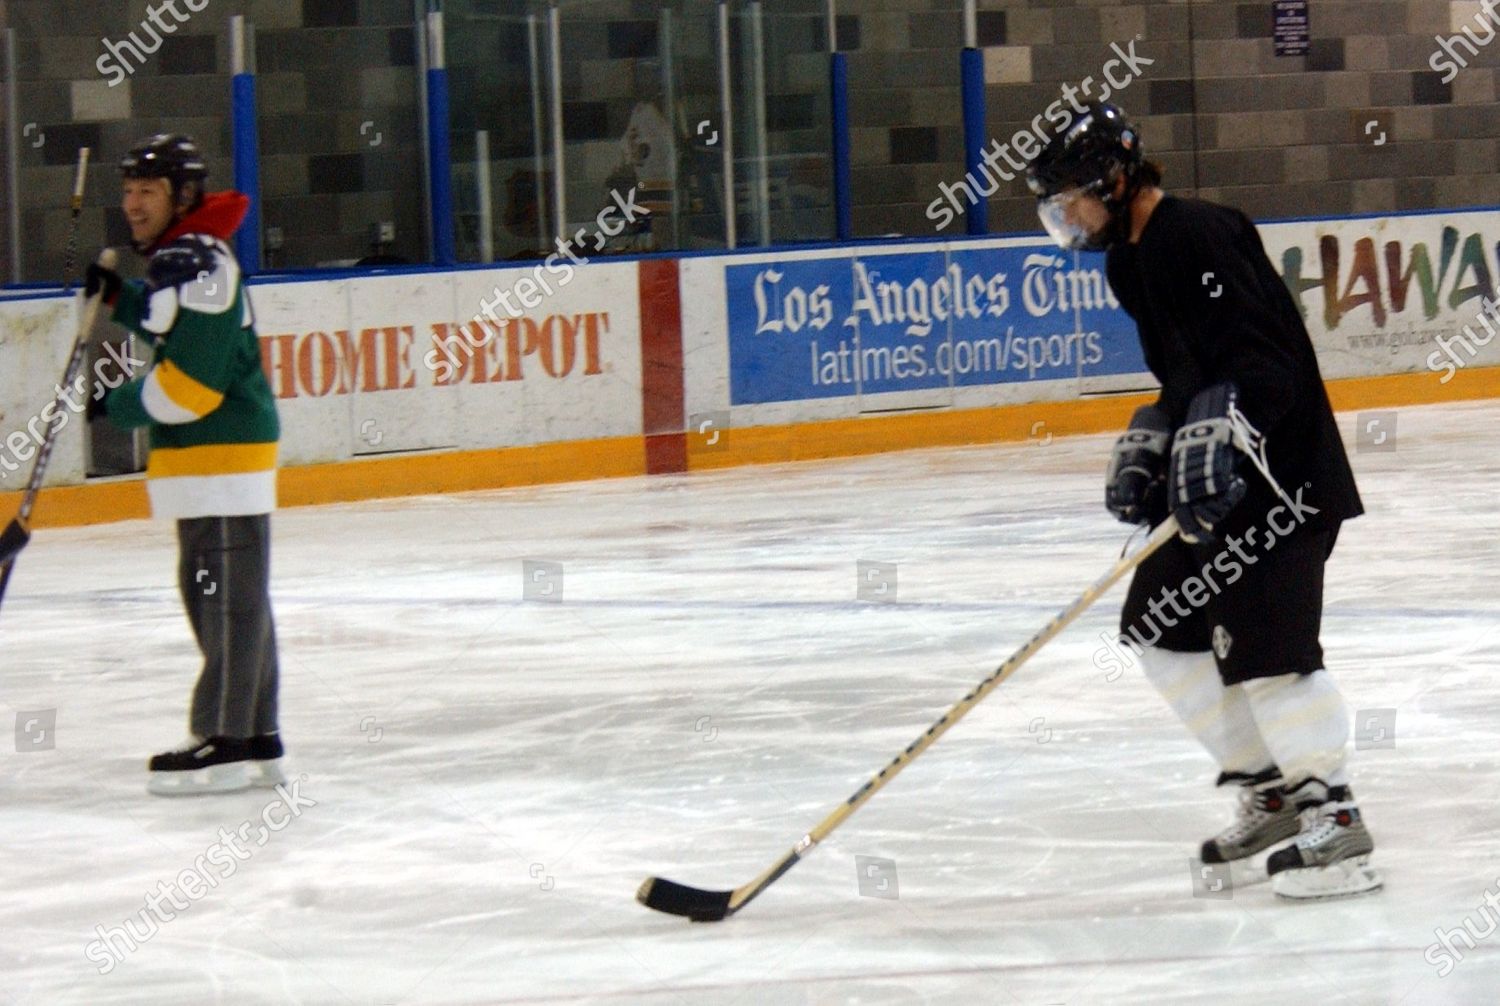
214,437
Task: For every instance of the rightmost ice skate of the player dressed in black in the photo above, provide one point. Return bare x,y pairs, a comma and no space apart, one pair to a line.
1331,857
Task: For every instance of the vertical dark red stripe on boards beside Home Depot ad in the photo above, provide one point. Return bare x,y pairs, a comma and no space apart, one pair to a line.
662,367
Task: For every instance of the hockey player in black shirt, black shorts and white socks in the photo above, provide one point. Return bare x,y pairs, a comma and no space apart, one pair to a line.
1244,451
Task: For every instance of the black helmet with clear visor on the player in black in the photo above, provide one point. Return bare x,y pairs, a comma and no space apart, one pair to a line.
1088,158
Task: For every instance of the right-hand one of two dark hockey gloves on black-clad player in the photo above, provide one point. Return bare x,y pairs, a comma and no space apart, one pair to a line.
1202,482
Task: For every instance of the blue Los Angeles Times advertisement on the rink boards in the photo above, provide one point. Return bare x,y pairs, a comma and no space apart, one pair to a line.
905,322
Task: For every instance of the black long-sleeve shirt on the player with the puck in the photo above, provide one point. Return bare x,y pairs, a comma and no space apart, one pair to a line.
1211,308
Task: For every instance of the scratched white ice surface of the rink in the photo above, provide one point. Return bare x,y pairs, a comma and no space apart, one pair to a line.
485,780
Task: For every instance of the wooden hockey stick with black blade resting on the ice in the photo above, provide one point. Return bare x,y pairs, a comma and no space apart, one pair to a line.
712,906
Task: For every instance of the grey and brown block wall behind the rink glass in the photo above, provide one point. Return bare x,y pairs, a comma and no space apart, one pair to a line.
1361,124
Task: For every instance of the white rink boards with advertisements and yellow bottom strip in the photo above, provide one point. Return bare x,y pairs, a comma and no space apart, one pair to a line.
401,383
